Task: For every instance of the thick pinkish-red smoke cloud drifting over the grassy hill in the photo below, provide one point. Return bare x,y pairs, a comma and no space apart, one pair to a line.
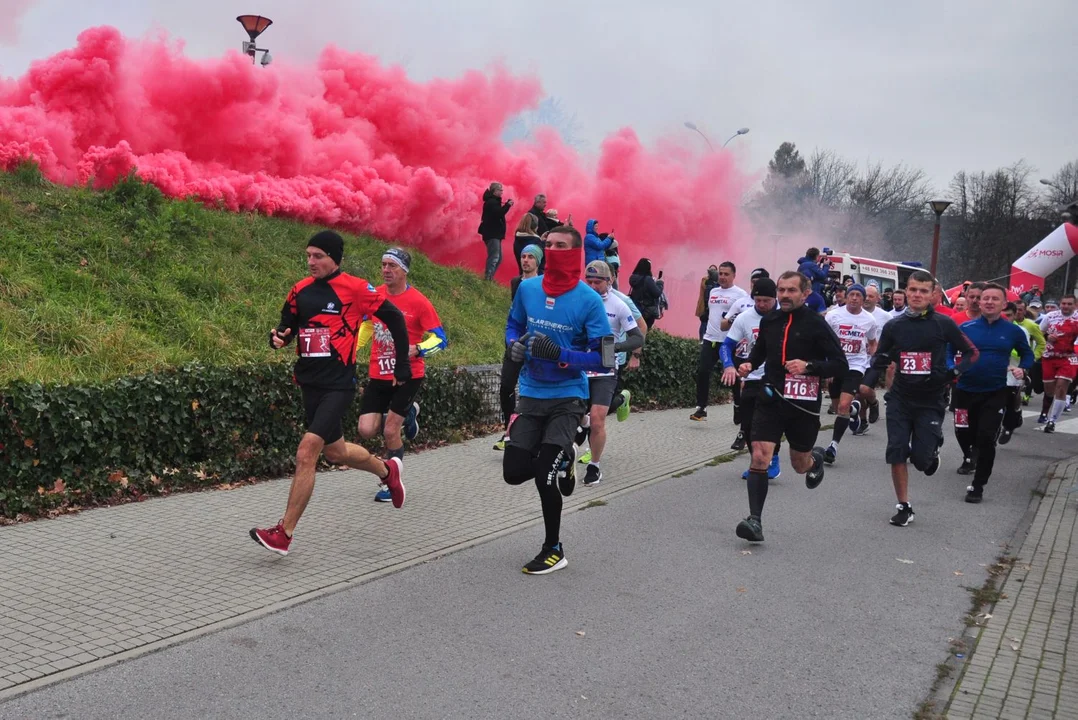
352,144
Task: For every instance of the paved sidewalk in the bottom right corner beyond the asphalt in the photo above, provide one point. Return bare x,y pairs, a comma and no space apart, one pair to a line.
1026,662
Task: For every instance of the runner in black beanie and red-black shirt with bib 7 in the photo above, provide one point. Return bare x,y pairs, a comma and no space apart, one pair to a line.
325,312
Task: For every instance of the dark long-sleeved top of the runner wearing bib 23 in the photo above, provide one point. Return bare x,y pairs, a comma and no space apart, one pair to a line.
929,333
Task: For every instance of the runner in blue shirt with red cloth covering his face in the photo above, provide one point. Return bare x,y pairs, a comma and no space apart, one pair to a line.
557,327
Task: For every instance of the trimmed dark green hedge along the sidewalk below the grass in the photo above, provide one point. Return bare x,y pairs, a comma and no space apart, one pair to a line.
192,427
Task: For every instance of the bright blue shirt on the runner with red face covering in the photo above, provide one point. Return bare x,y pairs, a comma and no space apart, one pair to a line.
576,321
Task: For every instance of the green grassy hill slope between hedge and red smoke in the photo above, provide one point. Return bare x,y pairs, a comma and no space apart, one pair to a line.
101,285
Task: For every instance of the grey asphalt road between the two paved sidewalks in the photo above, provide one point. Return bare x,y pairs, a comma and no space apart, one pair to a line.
662,613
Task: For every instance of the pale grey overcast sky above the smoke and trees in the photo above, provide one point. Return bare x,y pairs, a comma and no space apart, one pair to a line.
939,86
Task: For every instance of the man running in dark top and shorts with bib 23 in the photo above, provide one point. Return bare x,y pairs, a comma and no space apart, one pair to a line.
917,403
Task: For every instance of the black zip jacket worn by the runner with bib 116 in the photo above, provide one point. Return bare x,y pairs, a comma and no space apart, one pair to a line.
803,335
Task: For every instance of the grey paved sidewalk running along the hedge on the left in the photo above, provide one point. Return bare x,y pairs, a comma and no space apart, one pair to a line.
85,591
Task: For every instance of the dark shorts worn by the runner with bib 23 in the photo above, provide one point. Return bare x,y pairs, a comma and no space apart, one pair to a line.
915,428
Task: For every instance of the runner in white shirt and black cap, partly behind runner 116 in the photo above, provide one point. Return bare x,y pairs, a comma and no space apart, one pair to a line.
739,347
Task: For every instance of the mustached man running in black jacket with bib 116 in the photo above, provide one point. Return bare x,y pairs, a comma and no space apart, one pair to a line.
800,349
